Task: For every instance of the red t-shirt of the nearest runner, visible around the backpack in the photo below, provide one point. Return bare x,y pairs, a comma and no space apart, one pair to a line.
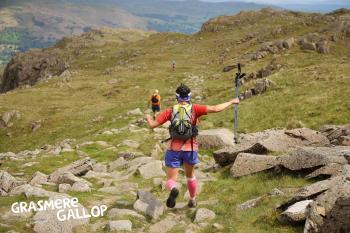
176,144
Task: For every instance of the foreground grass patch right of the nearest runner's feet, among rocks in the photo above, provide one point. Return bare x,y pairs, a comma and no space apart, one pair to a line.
236,191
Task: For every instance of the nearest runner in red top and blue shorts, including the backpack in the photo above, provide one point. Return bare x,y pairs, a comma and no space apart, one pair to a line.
182,145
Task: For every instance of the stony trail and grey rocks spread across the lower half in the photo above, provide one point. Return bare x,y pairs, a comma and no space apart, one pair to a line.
133,188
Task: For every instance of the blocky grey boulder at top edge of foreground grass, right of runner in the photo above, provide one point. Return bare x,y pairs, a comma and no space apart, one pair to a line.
246,164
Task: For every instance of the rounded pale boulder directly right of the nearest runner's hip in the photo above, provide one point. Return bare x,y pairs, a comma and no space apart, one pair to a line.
215,138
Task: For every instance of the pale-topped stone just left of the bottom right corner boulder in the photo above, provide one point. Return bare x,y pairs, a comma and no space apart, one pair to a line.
296,213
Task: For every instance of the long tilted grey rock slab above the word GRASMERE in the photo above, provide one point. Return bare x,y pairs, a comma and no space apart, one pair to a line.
77,168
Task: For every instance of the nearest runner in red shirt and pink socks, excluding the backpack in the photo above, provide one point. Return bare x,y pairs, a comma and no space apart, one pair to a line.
181,152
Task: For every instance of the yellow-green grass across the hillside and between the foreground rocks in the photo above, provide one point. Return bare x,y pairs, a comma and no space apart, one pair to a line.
117,73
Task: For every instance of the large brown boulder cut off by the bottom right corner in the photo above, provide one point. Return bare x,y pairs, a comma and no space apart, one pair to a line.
330,212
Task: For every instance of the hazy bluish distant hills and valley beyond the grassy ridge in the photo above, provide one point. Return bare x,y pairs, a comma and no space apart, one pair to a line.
40,23
